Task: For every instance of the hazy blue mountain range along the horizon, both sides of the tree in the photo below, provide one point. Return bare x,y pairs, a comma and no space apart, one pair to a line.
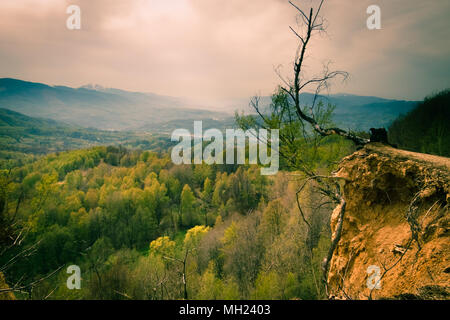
93,106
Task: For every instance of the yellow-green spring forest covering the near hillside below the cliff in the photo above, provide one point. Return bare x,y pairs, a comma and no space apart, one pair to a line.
118,213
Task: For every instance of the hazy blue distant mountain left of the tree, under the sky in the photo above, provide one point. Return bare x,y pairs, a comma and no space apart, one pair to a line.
97,107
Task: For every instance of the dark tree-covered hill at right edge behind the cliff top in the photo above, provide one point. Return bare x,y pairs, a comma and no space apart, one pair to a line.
425,129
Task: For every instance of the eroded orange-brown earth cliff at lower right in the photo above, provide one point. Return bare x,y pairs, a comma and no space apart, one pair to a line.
395,240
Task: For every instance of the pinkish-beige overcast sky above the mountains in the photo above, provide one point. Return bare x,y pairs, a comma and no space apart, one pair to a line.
224,48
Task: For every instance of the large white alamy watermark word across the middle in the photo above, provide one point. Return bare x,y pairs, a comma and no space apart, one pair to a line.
188,151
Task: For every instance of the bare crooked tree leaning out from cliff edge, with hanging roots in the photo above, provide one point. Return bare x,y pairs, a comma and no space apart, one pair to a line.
310,23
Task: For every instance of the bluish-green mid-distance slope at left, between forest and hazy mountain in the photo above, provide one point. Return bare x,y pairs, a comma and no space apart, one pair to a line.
23,134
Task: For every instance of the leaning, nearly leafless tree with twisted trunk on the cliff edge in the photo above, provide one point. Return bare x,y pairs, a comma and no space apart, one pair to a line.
300,118
